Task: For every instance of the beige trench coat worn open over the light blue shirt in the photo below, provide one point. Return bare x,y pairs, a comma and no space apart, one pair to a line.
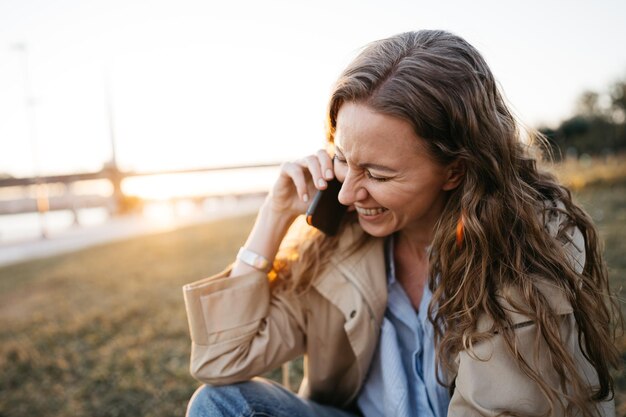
239,330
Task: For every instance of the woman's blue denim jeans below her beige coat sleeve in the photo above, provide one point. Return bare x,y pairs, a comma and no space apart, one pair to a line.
258,397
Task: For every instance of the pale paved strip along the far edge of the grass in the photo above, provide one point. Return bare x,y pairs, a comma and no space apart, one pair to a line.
115,229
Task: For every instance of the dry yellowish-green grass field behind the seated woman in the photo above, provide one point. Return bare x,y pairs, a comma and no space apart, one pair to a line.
102,332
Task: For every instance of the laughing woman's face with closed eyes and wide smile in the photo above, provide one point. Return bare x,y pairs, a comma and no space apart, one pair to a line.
387,174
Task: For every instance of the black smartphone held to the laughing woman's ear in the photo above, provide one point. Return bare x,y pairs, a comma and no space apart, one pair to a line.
325,211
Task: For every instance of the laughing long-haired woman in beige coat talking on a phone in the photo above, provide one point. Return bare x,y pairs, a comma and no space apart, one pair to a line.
463,281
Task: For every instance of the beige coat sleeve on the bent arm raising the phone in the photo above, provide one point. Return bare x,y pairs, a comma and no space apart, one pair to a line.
239,329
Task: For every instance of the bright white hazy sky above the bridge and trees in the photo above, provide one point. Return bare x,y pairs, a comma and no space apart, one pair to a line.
204,83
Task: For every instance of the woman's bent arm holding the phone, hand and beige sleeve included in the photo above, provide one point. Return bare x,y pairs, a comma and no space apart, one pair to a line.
239,328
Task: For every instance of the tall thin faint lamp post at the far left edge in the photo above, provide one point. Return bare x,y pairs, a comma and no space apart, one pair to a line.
43,204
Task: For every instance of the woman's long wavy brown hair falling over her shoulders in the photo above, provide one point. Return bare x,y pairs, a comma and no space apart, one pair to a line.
441,85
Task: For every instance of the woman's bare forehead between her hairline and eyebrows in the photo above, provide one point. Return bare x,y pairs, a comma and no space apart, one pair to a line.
363,131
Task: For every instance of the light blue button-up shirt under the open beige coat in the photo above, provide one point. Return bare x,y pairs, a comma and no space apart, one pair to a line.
401,381
